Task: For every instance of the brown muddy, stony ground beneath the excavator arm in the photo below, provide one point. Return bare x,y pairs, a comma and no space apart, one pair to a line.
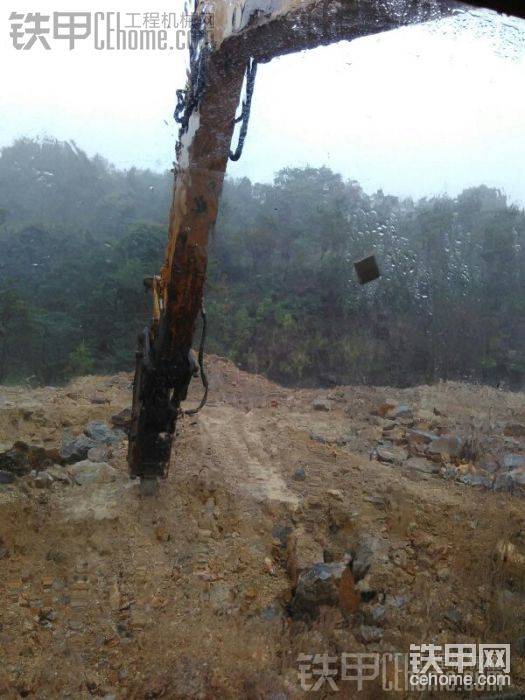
192,594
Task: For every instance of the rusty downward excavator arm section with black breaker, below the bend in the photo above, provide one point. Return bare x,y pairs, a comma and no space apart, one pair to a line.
164,364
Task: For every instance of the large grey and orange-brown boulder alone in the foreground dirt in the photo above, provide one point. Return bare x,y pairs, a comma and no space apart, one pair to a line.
324,584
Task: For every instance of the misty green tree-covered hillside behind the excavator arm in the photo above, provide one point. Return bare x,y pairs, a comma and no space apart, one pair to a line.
77,236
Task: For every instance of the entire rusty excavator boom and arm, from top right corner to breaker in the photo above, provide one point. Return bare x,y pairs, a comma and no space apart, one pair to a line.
228,39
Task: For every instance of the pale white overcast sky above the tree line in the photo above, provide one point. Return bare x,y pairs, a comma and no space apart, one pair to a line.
418,111
